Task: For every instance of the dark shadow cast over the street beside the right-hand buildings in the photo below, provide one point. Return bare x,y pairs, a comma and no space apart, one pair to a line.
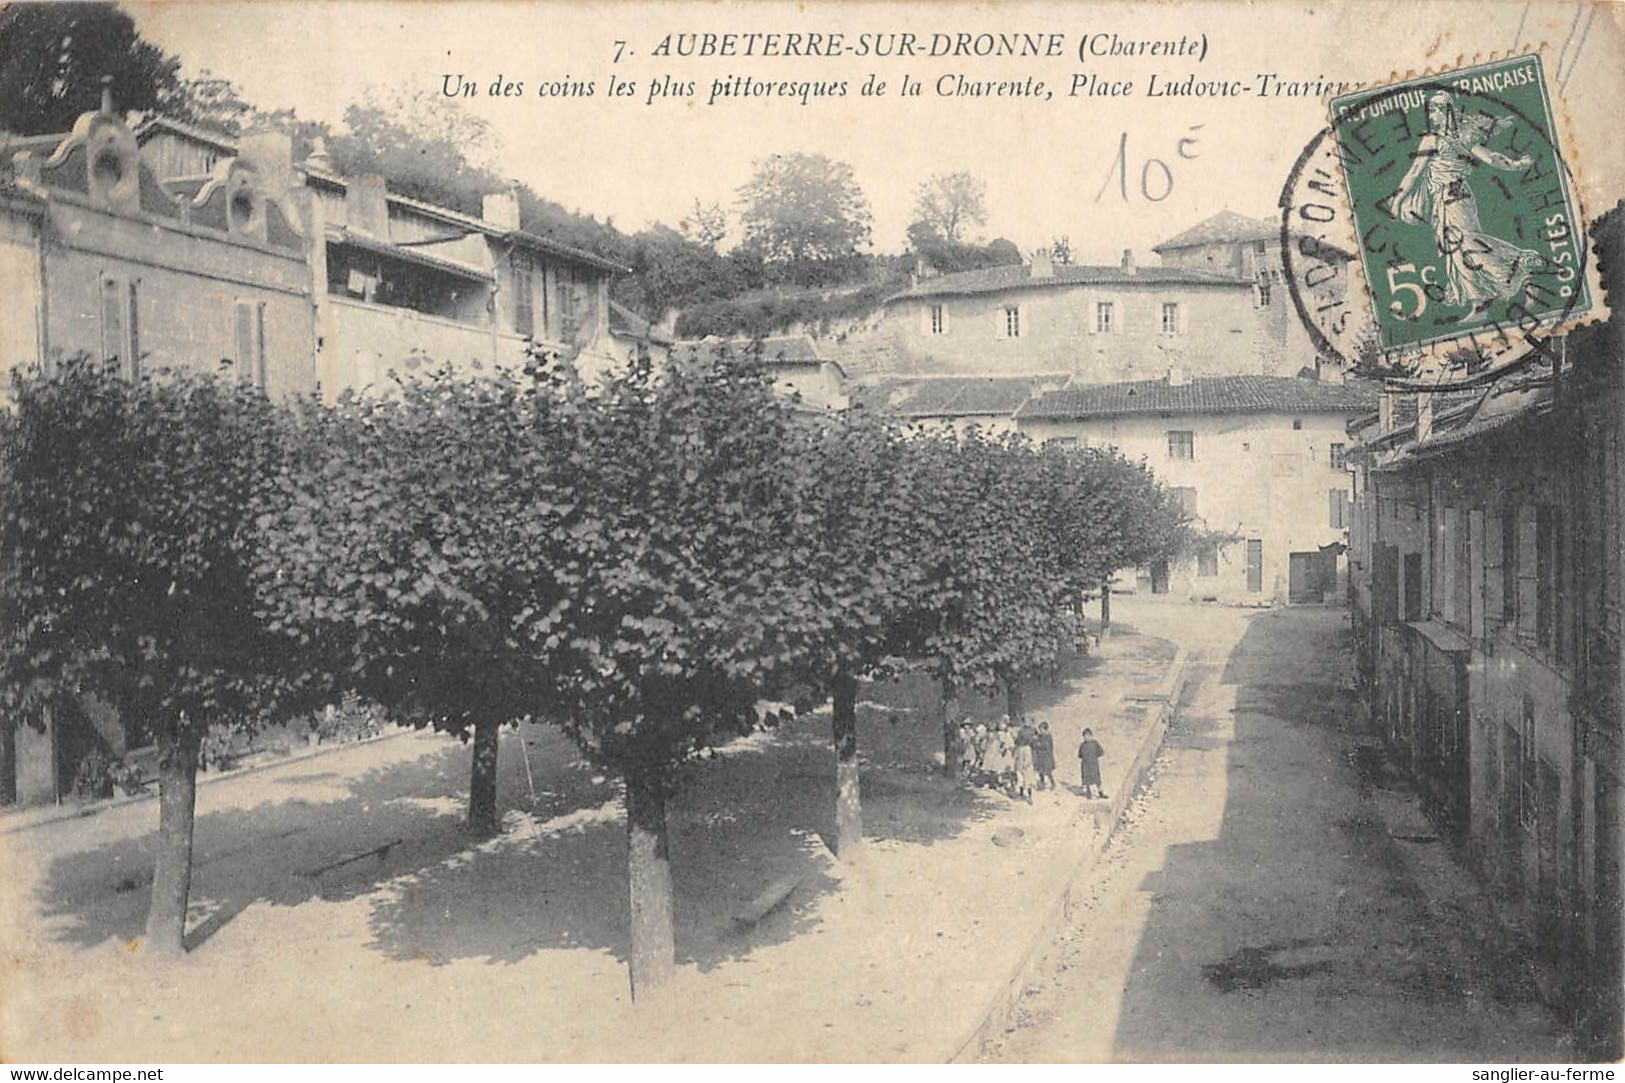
1296,929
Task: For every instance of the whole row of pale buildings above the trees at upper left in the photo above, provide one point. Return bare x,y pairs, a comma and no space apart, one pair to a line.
160,245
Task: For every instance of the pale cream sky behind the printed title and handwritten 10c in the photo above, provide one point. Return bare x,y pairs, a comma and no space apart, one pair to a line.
1052,168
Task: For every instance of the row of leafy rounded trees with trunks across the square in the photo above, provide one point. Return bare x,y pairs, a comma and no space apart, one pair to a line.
643,563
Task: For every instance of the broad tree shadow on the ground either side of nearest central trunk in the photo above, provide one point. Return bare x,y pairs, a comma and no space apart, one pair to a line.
747,825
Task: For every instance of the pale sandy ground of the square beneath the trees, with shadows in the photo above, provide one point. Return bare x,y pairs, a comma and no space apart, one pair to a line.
342,915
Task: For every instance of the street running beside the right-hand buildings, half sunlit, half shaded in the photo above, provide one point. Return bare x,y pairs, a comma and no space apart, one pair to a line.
1260,905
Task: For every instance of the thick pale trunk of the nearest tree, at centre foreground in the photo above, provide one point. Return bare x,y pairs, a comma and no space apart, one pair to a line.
654,959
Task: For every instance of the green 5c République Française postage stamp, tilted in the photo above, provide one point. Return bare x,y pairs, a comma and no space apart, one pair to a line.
1465,209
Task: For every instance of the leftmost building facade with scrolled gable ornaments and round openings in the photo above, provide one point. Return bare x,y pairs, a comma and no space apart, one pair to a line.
100,258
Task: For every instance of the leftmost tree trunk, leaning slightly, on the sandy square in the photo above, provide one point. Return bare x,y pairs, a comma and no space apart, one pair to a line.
178,786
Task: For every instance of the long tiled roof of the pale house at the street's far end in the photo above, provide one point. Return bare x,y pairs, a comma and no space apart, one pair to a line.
1221,394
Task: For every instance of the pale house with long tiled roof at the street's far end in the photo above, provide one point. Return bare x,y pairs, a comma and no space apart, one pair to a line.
1259,463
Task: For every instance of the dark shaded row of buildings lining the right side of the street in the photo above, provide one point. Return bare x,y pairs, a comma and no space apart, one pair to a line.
1488,611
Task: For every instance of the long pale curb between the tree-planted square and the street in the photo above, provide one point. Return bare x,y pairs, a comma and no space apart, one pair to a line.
1003,1004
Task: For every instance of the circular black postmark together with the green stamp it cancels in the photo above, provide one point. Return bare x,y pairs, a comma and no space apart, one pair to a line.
1431,230
